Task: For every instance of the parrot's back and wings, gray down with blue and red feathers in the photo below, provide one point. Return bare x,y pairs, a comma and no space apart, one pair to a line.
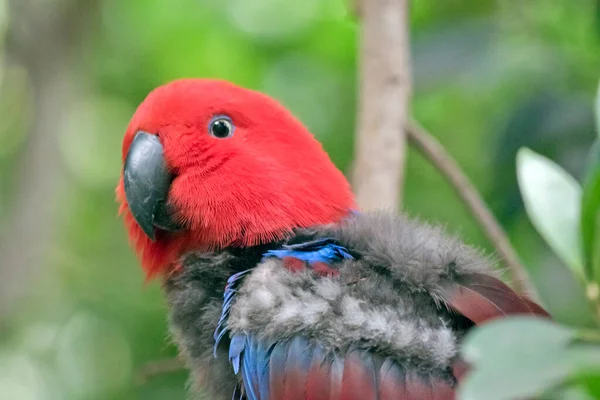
379,317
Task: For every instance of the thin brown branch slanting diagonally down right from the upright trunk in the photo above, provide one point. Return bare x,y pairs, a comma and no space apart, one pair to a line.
428,145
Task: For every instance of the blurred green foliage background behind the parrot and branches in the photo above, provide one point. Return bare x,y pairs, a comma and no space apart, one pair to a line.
77,320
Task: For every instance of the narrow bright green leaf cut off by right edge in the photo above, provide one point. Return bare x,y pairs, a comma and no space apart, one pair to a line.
590,215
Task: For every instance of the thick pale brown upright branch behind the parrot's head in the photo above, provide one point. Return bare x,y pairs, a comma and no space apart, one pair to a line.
385,89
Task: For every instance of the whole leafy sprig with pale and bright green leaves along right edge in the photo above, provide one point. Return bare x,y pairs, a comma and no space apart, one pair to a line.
545,358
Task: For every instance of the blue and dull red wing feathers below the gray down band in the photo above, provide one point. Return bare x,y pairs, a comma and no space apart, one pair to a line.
298,369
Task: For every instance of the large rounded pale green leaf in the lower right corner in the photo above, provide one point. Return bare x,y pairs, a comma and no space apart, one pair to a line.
523,357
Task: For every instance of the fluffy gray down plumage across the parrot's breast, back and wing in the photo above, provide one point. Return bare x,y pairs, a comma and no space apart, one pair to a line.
386,300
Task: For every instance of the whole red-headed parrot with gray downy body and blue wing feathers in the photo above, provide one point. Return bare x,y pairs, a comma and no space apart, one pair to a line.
278,286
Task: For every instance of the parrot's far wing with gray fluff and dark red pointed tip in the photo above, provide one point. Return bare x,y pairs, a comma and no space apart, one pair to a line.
423,258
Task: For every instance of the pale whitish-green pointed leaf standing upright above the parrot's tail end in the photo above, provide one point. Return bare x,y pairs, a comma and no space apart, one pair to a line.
552,200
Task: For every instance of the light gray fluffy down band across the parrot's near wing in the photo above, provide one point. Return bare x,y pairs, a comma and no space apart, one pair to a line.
275,303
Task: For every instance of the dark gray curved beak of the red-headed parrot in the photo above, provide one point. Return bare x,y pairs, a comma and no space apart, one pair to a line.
147,182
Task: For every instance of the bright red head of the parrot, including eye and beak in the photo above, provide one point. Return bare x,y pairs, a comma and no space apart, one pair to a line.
207,165
